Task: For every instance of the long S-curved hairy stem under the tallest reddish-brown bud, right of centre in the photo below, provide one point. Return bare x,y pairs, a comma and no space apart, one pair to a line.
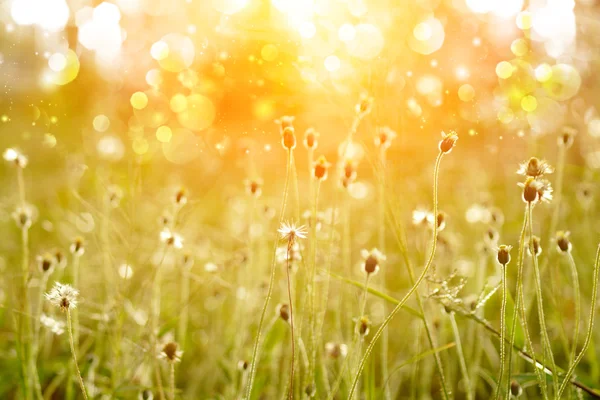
412,290
